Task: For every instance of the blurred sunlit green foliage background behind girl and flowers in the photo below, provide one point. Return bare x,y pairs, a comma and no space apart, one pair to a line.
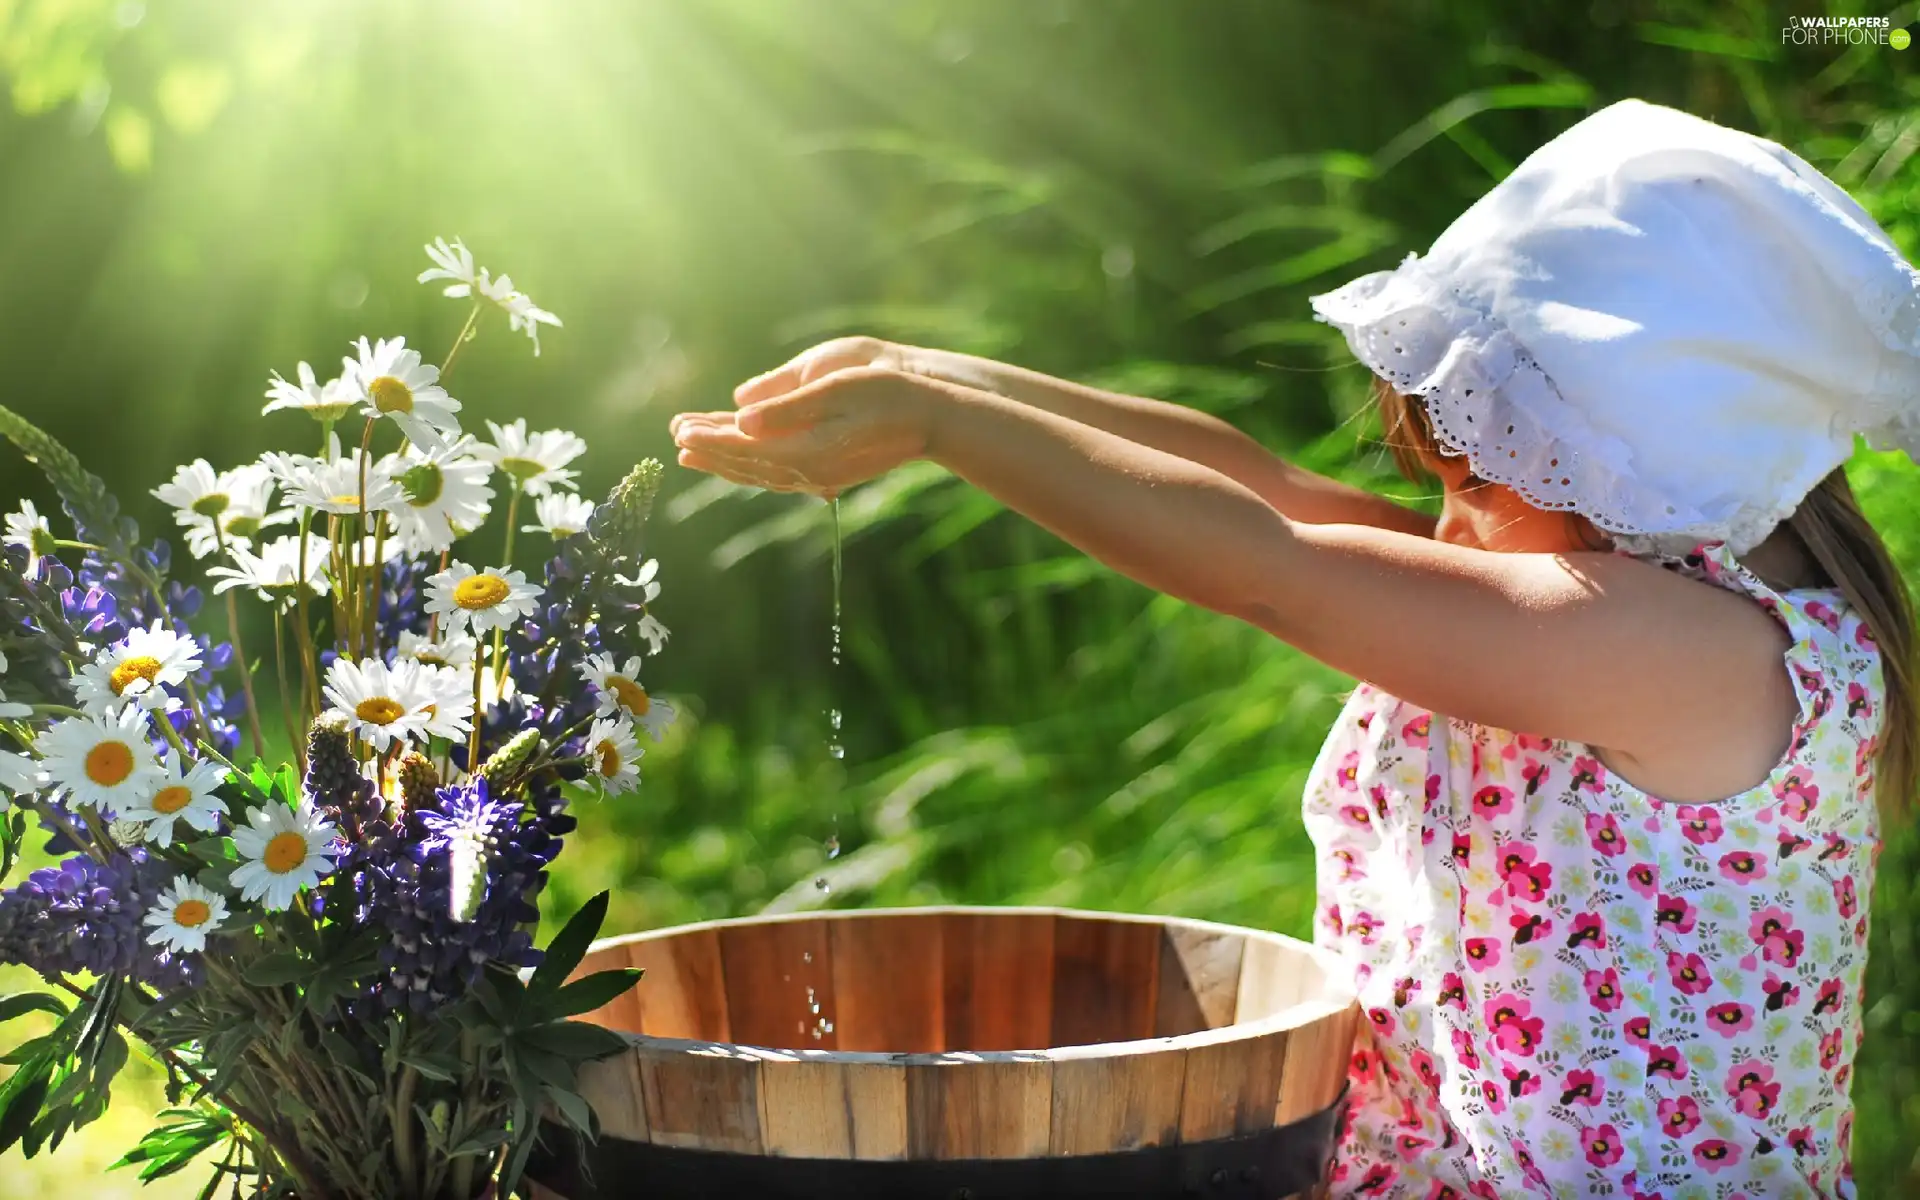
1124,191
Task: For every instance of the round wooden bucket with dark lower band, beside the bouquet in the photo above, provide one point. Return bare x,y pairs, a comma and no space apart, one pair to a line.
963,1055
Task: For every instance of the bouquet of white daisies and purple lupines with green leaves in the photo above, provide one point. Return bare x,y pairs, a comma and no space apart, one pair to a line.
333,957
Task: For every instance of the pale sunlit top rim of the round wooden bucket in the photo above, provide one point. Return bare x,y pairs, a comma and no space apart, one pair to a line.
1333,997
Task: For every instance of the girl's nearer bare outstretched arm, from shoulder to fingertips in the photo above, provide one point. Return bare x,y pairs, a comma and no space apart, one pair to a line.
1591,648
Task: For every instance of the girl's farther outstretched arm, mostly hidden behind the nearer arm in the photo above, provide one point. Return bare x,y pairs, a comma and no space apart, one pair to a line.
1180,431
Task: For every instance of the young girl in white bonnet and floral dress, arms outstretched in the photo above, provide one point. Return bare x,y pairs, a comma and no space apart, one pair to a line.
1596,832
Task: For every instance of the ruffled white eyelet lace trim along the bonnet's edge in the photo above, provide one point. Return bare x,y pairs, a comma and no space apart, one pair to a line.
1489,400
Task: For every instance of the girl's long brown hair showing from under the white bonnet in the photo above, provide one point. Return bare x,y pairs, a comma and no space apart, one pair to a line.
1852,556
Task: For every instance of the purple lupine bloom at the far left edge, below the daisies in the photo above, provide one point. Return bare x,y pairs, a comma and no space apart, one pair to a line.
85,917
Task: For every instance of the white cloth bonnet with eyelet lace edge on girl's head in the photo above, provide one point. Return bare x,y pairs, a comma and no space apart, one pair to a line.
1669,327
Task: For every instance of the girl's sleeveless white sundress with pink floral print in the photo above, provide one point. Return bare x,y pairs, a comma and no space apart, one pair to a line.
1577,990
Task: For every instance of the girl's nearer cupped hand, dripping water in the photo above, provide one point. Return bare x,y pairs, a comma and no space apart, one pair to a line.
817,425
